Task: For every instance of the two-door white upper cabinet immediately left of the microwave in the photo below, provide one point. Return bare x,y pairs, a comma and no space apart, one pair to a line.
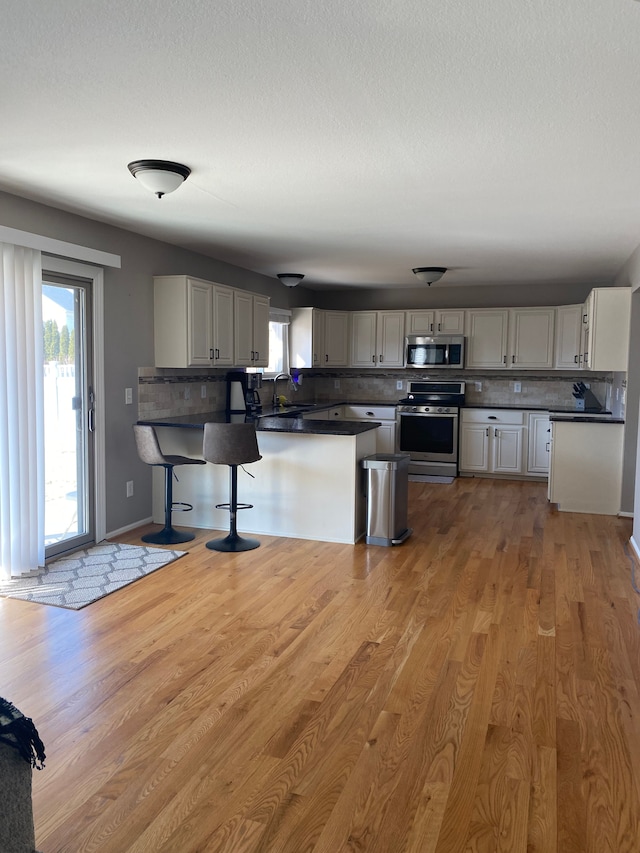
377,339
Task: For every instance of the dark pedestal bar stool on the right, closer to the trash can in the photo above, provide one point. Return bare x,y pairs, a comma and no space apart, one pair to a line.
232,445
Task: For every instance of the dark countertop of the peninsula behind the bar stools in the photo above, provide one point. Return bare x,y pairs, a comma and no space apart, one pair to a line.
266,423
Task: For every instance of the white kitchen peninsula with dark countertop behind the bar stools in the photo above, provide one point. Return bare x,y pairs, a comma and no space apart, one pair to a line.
308,484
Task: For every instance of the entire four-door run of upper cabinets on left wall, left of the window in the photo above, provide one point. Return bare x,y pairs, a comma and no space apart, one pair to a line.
195,324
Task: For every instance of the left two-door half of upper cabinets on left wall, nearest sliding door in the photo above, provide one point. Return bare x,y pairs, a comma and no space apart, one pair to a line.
193,322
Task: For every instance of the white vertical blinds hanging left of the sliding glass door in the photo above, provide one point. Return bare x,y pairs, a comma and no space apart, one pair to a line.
21,412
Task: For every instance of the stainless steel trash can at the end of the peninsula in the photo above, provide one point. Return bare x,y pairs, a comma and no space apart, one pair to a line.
387,498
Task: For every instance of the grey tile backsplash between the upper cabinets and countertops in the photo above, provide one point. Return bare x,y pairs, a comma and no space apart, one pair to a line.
164,392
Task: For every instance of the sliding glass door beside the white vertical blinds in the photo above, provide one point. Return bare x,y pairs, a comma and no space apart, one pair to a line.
68,414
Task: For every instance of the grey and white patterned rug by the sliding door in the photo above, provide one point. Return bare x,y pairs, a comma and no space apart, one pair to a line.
85,576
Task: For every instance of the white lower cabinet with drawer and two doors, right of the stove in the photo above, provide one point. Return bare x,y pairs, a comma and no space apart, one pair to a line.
491,441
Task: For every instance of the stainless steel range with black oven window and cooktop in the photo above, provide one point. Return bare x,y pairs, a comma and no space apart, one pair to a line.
427,427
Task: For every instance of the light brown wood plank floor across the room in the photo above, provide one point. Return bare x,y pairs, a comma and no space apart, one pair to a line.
475,689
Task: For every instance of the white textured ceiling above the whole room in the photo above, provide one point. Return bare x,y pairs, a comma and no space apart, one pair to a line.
349,141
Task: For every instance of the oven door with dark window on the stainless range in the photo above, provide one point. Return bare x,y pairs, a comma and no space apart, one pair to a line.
428,437
